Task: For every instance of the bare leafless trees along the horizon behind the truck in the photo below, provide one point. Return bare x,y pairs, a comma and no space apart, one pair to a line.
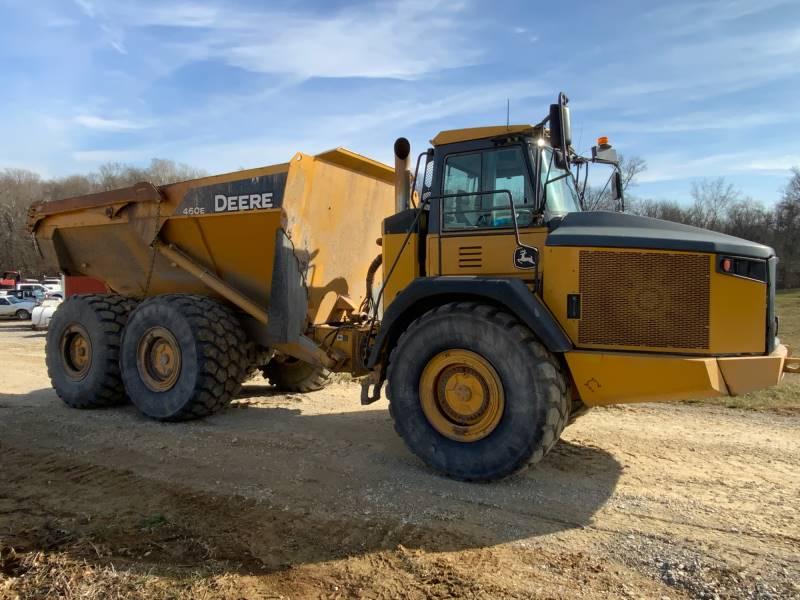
716,204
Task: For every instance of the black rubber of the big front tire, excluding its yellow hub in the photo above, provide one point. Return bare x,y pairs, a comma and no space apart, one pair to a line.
537,398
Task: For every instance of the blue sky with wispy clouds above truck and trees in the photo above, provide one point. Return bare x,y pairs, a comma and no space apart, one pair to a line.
697,88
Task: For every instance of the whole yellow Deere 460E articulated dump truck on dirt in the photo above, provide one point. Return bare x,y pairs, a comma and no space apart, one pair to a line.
491,305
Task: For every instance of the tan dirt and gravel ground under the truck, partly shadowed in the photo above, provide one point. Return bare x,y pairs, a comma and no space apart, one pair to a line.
286,496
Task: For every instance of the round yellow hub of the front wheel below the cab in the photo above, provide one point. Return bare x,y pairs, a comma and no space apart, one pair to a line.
461,395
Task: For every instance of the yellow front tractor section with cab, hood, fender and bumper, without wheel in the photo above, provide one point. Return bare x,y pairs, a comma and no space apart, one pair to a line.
617,295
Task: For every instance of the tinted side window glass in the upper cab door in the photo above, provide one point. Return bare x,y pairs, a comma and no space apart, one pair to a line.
487,171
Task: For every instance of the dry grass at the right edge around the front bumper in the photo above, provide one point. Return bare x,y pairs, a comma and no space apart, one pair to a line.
786,396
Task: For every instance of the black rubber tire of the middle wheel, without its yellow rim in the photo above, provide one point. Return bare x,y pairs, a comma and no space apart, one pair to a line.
213,349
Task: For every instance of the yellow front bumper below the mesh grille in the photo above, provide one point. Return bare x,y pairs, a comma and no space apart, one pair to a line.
602,378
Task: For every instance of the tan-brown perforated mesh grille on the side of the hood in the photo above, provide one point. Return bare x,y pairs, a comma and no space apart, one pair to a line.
644,299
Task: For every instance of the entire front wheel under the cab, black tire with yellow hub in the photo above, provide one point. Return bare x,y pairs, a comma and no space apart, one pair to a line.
490,362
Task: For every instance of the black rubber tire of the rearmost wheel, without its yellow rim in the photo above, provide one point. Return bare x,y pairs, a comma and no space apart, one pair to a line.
103,316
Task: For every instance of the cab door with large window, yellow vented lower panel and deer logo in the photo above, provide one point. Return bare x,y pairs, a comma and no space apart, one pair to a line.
476,230
